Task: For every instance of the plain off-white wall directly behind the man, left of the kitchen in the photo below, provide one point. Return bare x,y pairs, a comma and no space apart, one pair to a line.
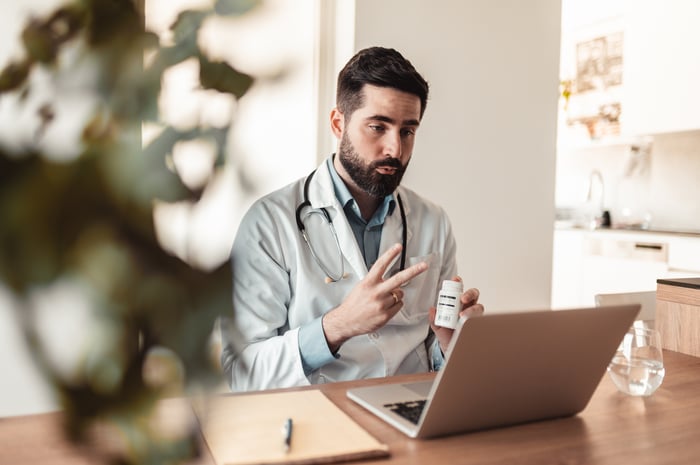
486,147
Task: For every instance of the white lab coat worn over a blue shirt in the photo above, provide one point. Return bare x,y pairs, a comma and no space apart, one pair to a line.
277,287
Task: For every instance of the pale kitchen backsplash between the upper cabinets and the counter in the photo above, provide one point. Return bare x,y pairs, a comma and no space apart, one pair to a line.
667,189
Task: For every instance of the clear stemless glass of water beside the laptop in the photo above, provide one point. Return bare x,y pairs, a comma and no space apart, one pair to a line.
637,368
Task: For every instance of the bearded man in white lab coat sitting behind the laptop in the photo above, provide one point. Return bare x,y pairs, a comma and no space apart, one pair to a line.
357,299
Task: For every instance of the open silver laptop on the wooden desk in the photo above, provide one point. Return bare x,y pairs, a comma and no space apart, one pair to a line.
506,369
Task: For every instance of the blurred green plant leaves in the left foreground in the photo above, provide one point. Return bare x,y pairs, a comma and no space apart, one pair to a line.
89,219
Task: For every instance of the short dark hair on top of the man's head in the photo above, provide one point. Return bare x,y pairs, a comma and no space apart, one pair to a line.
382,67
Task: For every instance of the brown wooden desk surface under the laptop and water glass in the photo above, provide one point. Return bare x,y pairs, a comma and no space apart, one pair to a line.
614,429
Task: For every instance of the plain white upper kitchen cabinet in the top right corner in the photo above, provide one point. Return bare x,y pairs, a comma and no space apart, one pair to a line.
661,66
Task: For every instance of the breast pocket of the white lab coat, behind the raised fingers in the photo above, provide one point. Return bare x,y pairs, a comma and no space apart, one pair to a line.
420,292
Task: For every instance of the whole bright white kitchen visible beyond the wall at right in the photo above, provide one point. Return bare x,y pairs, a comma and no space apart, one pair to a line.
628,143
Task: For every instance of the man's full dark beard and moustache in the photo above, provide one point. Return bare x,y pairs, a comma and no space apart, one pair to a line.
365,175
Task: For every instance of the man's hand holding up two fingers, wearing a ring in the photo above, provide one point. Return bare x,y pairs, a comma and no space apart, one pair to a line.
370,304
